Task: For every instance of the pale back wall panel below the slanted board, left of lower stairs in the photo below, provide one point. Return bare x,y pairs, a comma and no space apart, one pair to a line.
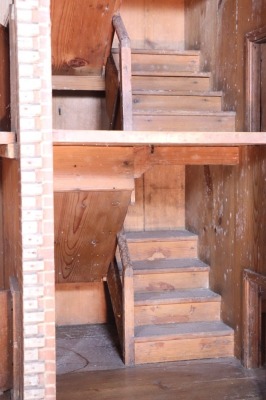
81,303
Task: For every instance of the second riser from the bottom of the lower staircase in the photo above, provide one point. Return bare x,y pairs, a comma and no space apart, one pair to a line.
175,313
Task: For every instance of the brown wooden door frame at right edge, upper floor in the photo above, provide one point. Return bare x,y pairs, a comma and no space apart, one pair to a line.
254,40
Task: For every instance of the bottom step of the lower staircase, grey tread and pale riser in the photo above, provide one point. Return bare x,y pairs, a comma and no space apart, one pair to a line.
183,341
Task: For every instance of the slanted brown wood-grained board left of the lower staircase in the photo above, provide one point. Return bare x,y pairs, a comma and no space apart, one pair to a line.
86,224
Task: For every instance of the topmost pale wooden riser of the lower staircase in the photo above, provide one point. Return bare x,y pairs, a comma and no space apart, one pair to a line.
160,250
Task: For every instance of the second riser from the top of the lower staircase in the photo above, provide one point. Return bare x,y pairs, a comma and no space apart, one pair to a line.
171,281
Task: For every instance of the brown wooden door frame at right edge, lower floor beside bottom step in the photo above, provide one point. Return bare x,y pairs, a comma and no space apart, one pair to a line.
252,318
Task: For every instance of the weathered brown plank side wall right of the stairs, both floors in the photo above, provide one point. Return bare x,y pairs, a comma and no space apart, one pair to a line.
226,205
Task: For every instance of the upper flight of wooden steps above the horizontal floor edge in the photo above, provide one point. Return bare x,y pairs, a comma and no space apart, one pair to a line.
170,93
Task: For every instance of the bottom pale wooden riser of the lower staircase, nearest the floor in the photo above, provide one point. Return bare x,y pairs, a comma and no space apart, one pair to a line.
184,349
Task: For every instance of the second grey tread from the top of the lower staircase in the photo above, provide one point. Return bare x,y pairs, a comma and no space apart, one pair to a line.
166,265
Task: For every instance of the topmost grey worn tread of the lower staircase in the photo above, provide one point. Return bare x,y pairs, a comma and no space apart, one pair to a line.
142,236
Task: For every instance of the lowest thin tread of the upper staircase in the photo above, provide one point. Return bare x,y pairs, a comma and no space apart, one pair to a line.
155,111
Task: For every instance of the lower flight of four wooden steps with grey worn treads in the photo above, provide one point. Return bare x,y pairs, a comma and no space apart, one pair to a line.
176,315
